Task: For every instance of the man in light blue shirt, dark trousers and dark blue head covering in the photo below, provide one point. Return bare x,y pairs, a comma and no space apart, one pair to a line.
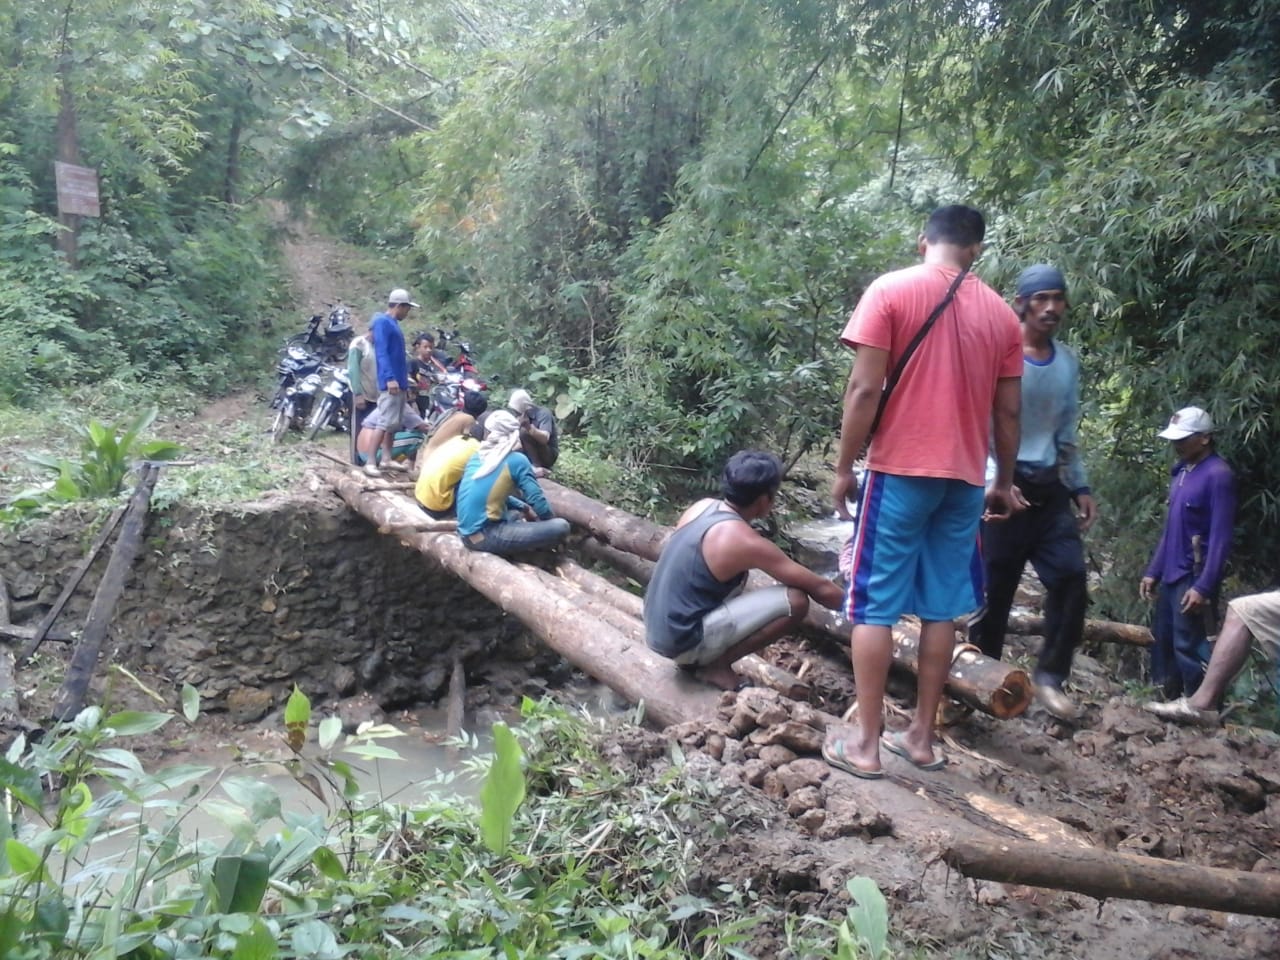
1052,481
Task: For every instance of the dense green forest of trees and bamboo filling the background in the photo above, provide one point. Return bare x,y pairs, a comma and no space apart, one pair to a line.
660,213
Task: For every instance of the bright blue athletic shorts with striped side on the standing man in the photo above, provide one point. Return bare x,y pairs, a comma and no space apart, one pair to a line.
915,550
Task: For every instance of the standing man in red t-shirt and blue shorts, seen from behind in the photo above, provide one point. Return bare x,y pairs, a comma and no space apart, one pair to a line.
924,495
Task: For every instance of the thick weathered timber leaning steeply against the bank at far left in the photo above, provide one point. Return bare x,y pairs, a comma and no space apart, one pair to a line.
80,673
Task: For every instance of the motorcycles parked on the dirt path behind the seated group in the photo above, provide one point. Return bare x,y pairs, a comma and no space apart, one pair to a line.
313,388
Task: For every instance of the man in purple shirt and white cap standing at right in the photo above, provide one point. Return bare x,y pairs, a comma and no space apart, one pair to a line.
1187,566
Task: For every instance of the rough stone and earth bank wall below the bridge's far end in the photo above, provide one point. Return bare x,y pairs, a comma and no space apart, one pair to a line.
246,602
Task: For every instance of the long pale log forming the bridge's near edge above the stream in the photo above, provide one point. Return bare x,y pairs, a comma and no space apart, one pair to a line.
564,623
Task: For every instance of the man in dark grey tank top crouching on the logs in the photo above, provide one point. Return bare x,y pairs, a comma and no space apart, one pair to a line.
696,612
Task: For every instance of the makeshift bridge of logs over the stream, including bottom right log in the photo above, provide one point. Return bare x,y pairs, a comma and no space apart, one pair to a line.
596,625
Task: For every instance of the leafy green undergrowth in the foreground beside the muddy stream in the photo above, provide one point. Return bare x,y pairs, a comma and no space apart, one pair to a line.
596,867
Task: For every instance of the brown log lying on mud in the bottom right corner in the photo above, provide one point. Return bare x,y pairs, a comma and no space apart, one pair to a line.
1107,875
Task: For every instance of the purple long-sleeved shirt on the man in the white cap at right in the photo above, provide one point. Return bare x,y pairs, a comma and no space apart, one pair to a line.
1201,504
